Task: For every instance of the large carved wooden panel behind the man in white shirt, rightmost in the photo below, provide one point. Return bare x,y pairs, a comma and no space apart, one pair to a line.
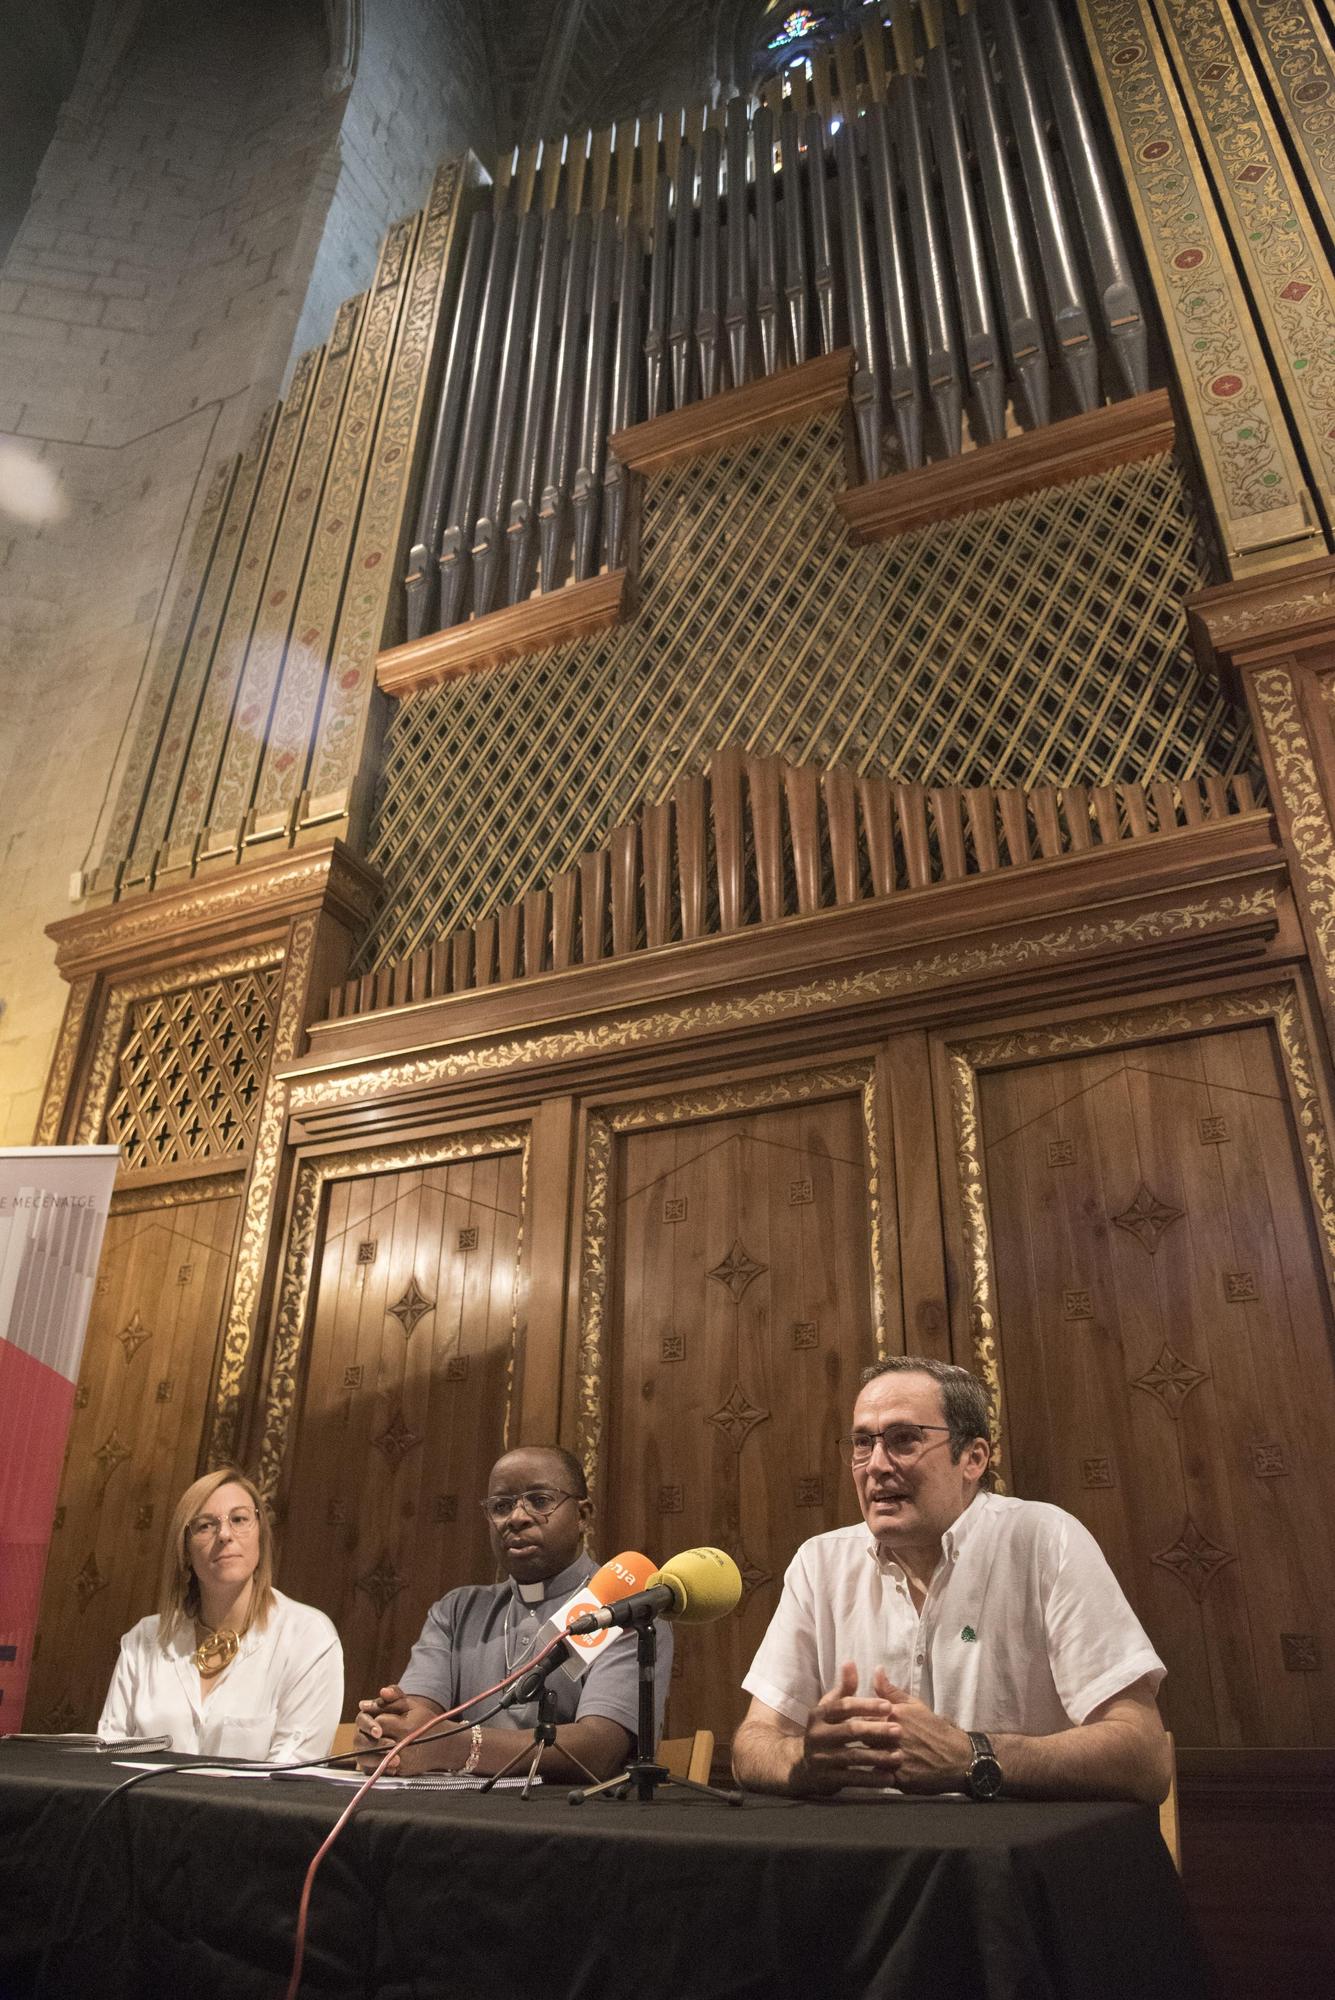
1188,1417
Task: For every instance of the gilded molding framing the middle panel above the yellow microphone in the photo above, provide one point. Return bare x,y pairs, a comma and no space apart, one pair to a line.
645,1115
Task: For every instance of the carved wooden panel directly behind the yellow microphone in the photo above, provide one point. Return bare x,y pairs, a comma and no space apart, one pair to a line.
740,1321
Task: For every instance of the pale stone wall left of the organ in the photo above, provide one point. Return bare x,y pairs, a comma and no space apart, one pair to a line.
205,205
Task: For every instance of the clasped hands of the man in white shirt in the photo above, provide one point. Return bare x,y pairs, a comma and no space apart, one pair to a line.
880,1739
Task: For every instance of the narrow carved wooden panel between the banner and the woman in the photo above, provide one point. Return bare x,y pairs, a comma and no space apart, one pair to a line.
157,1311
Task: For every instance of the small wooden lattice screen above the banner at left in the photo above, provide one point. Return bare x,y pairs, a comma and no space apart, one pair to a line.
191,1071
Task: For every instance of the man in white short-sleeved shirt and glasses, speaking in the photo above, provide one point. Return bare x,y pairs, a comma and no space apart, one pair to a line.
958,1641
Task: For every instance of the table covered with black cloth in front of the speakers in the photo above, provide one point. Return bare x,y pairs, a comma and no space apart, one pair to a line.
189,1887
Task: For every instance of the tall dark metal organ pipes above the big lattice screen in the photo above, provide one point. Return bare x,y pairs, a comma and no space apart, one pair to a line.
938,205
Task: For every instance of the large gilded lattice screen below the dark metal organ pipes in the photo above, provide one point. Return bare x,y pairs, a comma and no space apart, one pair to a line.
1040,643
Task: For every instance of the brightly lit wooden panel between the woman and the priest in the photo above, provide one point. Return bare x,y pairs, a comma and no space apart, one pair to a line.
405,1403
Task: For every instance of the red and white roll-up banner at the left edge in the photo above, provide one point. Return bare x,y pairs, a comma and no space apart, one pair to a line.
53,1213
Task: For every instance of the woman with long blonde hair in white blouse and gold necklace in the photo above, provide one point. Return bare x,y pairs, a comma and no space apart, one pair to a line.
229,1667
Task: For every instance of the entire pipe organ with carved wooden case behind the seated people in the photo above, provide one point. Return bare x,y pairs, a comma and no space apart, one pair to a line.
742,781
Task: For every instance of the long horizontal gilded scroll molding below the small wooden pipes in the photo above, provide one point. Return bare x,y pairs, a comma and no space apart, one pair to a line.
884,983
